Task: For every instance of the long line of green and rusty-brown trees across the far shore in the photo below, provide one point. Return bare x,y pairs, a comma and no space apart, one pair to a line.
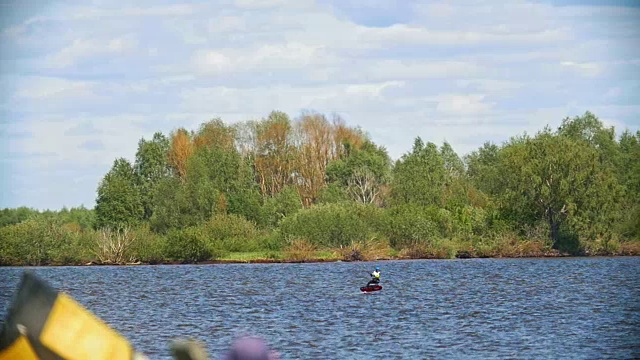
289,188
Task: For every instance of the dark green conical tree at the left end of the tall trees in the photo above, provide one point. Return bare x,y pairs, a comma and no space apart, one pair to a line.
119,203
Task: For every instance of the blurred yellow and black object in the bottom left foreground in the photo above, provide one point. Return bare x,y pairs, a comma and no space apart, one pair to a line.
43,323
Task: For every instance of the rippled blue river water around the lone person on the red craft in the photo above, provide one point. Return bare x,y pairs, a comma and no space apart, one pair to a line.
569,308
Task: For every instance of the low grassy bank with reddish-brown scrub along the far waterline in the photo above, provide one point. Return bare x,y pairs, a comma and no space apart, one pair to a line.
305,252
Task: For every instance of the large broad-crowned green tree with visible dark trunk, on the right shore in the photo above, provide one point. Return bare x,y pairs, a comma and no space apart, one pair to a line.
558,180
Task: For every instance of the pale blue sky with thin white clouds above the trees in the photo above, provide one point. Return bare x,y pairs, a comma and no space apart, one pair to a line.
81,82
